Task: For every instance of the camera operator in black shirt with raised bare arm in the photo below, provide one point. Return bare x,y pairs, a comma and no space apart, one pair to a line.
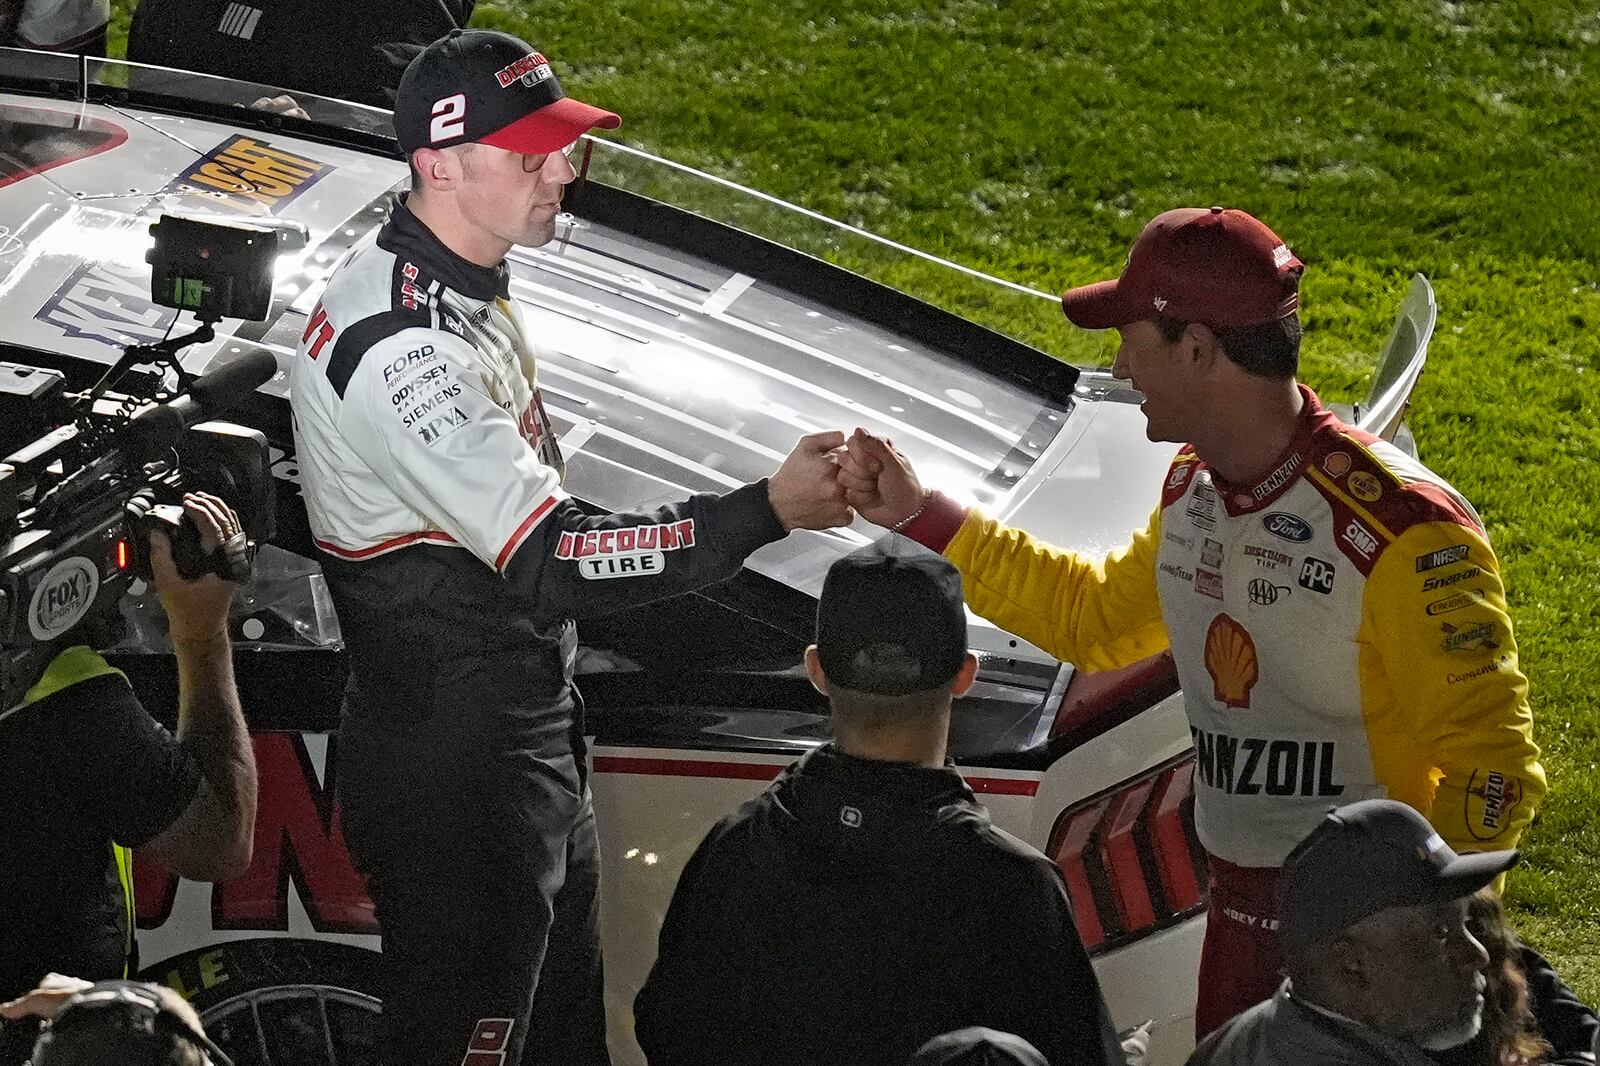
86,774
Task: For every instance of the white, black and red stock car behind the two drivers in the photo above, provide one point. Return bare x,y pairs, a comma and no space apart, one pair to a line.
678,355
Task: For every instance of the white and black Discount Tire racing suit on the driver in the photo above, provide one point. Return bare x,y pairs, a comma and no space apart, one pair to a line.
458,566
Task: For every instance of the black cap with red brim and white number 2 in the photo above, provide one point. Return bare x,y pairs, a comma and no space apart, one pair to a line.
494,89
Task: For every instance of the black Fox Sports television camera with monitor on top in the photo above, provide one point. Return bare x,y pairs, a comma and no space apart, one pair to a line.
113,463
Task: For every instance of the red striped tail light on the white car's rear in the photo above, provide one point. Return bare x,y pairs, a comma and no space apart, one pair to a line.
1132,859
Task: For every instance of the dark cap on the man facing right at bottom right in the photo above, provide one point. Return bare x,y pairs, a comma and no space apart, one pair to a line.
1370,857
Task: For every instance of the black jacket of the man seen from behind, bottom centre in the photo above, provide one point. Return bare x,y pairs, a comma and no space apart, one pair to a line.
857,910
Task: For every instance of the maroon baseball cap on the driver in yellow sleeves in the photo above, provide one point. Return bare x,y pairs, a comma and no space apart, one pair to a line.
1196,265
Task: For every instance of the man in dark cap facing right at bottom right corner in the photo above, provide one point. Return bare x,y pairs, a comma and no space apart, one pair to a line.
1382,968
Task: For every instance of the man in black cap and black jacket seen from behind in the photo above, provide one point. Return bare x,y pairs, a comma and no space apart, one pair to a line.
865,904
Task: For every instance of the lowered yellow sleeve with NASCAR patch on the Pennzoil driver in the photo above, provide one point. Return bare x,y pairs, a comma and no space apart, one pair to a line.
1446,699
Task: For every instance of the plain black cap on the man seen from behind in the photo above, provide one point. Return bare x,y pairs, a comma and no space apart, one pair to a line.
892,593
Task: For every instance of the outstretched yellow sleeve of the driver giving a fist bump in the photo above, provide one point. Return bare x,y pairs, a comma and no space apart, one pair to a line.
1097,615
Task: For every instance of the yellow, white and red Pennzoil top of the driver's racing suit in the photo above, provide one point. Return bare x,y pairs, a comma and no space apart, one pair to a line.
1340,633
